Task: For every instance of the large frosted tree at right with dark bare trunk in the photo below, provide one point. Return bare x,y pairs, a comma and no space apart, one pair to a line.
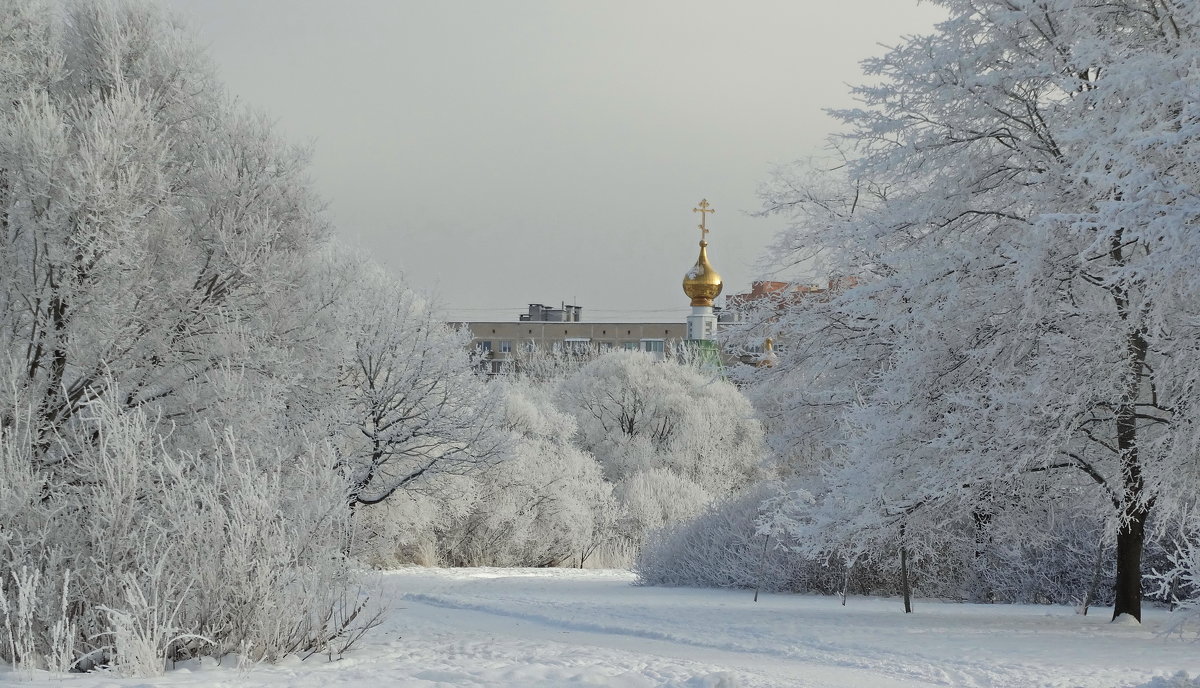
1021,210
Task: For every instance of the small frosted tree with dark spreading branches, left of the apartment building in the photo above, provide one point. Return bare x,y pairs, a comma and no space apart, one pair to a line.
417,406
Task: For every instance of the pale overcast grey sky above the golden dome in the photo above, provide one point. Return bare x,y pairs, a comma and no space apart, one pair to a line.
505,153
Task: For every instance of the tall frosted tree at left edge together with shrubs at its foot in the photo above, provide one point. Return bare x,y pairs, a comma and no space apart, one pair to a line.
166,357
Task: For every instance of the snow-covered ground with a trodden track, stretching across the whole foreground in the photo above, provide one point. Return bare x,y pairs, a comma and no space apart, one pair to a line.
567,627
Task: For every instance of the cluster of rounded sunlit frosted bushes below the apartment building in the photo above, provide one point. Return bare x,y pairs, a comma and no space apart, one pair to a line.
599,454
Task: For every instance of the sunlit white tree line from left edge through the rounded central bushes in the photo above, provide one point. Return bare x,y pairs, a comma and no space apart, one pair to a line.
212,416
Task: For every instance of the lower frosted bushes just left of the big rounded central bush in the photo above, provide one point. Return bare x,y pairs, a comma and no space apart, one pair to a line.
545,504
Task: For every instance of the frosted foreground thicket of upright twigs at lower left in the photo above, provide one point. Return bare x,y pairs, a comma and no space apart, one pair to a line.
149,555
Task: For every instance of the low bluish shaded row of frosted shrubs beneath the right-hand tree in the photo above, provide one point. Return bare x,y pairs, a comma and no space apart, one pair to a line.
999,559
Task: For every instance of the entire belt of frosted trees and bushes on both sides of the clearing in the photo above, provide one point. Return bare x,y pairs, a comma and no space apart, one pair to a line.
213,416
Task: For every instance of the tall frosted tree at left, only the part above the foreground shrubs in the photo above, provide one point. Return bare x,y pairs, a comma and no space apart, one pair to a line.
153,232
